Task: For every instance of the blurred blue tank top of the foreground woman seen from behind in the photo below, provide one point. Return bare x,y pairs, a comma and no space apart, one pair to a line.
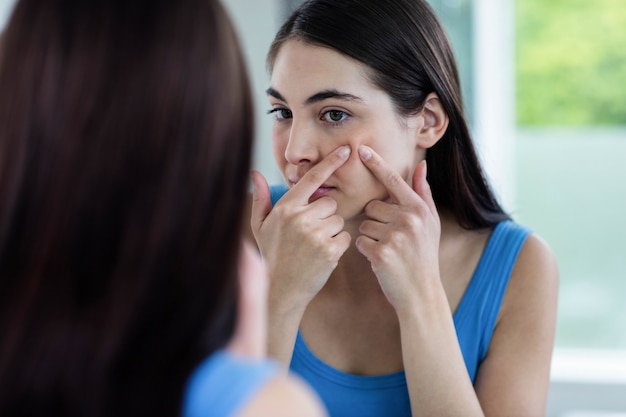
223,383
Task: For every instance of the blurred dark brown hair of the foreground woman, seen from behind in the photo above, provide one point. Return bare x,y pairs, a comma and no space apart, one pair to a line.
125,139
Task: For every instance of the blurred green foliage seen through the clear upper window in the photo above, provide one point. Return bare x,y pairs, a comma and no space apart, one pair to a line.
571,62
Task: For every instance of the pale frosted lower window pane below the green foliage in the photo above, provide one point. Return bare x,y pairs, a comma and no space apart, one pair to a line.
571,191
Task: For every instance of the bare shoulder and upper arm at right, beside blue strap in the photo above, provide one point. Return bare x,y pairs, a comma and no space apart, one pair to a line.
514,377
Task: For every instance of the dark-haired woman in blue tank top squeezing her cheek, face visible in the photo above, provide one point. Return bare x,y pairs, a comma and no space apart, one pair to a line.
399,286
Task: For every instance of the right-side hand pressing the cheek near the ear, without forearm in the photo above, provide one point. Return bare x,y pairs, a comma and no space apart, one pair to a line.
400,238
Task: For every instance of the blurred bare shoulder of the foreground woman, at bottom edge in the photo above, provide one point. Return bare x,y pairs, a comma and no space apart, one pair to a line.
284,396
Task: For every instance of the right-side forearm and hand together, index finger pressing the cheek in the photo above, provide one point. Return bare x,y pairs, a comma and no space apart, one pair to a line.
401,241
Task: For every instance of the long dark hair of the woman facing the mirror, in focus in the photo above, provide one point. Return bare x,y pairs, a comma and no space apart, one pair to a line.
409,55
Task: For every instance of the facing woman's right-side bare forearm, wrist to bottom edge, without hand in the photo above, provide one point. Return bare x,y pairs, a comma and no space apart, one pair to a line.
437,378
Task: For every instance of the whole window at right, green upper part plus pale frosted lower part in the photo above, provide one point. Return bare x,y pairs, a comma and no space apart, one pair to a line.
571,72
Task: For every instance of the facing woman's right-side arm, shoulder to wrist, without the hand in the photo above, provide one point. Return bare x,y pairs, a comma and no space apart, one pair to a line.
513,379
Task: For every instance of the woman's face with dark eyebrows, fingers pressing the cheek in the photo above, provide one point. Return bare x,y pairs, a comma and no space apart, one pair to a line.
321,100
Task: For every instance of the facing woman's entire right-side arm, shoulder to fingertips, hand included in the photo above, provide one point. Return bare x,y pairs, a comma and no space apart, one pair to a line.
401,240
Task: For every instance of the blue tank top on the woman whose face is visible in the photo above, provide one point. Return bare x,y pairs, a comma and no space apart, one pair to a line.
348,395
